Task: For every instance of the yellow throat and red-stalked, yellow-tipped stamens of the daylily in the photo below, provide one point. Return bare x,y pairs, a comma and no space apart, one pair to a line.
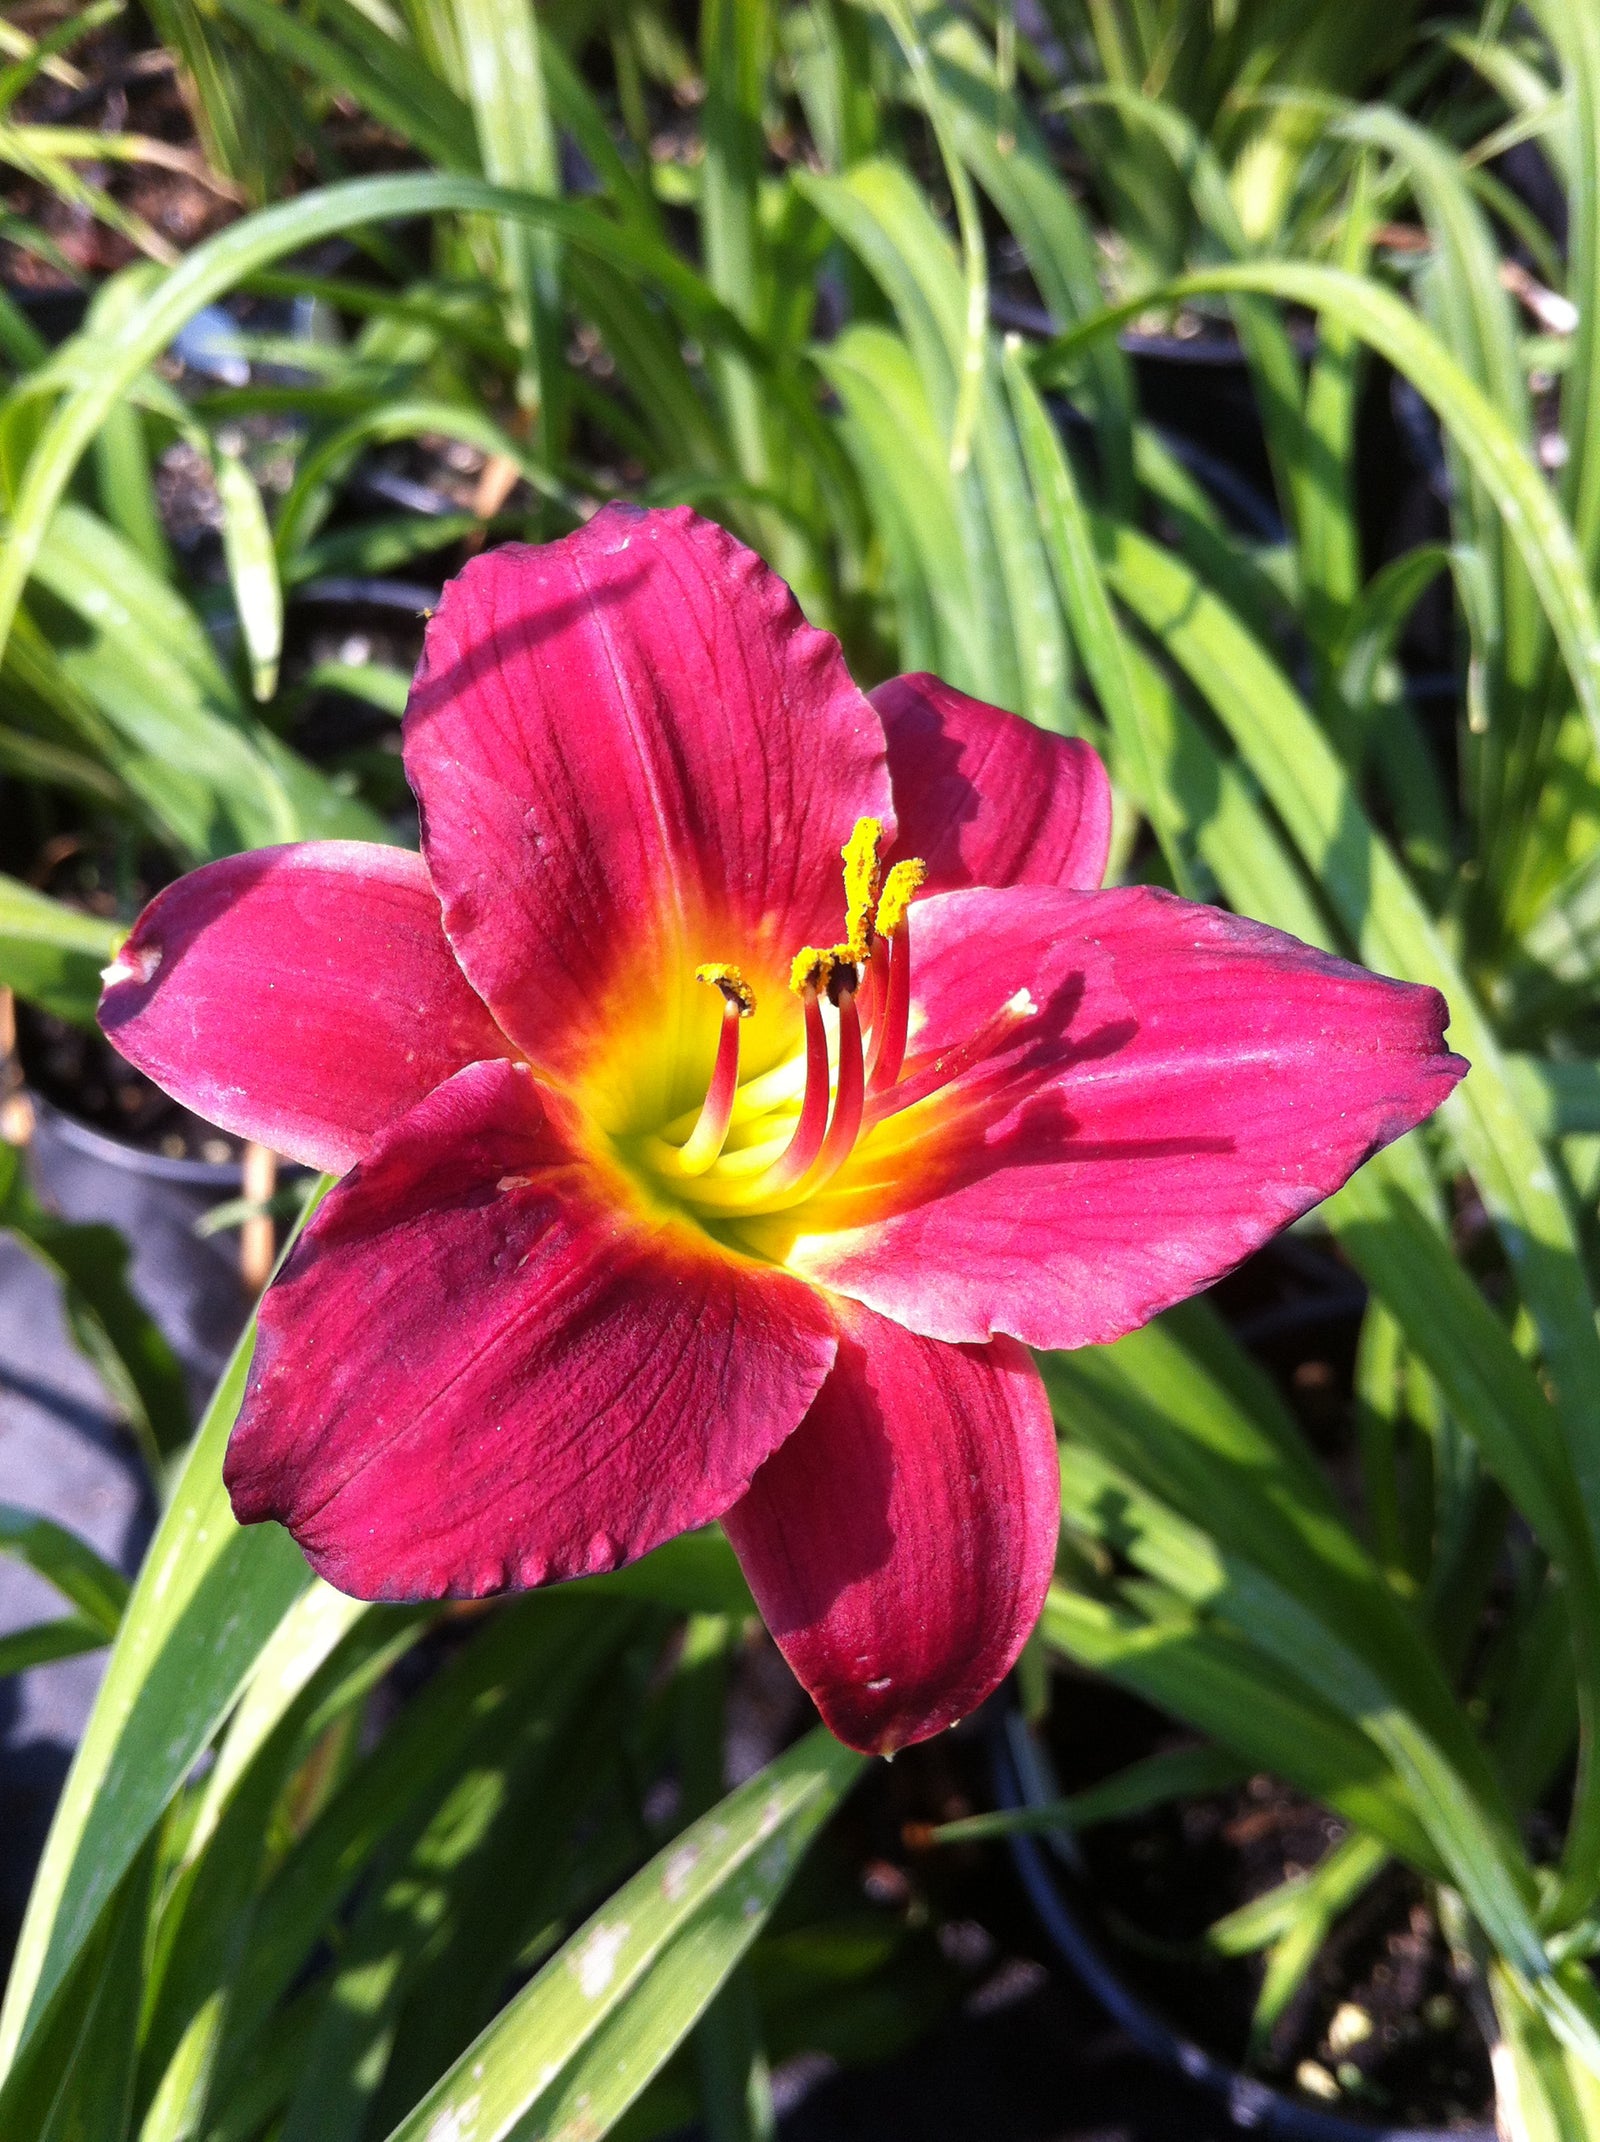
770,1143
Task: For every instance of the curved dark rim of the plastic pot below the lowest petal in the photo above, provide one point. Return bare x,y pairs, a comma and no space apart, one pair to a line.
1021,1783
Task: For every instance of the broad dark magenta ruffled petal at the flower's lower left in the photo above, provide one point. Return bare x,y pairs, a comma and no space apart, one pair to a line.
485,1368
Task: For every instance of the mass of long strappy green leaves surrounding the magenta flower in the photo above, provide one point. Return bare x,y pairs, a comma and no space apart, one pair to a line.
856,282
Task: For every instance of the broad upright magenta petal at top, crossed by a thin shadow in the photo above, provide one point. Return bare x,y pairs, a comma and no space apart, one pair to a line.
633,755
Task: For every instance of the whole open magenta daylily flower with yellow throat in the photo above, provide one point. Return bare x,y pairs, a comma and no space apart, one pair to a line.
734,1089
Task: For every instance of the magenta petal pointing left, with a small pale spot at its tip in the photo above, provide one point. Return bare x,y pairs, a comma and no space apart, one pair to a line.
303,997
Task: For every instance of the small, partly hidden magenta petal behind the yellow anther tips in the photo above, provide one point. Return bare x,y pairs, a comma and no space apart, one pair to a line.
986,798
